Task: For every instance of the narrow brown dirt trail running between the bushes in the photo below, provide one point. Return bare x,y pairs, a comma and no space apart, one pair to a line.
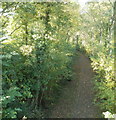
77,98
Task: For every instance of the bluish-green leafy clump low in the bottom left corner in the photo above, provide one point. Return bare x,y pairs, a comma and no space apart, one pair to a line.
10,99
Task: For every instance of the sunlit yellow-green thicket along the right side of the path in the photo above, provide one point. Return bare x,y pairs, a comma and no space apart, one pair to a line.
96,36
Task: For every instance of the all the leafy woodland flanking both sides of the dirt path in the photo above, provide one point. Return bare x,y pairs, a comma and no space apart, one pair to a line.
38,41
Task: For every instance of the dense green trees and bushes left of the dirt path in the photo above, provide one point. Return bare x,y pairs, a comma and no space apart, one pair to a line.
36,54
